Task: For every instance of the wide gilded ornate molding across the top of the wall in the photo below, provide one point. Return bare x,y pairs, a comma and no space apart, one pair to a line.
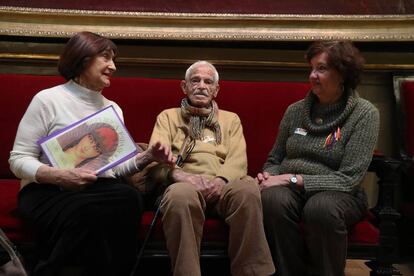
35,22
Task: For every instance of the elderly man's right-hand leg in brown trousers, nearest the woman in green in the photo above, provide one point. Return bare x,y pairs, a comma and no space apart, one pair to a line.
240,206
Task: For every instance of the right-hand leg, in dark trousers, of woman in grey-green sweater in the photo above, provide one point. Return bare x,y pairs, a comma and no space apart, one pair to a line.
327,216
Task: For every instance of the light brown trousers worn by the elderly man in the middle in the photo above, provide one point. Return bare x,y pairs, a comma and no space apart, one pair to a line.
183,209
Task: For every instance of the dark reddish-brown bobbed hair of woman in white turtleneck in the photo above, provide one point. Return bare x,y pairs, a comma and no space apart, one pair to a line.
79,51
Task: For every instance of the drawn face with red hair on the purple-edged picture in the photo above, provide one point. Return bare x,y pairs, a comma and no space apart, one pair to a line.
100,141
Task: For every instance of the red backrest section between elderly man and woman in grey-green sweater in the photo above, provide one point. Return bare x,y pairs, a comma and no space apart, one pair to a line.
261,106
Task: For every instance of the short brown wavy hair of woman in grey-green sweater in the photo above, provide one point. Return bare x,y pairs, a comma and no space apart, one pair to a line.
343,56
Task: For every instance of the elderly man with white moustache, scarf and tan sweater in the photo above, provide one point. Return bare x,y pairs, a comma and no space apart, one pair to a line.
211,174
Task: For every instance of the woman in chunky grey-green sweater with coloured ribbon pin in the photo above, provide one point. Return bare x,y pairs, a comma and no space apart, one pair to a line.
313,173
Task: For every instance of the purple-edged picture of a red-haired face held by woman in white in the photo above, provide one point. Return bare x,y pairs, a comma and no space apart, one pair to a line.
97,142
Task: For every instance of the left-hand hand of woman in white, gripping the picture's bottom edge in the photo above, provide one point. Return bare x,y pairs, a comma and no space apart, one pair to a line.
70,179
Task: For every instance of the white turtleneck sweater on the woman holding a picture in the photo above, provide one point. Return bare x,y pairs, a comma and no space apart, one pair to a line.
49,111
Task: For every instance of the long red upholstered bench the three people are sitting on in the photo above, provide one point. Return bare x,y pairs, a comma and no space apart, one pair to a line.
260,106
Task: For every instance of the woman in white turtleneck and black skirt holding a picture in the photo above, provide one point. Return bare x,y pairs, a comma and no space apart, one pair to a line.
80,215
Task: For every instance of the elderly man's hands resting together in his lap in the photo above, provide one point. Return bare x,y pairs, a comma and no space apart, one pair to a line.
210,189
